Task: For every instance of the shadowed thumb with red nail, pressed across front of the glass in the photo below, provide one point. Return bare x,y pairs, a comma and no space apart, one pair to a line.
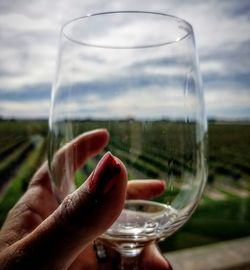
81,217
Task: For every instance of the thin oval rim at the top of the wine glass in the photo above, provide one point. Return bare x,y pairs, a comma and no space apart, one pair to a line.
188,29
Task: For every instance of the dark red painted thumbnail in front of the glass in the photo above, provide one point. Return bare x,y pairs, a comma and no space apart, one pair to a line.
103,177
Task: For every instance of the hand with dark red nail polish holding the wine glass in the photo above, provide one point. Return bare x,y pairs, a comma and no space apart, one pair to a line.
41,234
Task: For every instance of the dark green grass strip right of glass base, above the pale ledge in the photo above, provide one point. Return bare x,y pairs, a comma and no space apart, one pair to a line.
213,222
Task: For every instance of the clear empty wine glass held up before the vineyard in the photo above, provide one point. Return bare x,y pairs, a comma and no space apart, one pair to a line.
137,75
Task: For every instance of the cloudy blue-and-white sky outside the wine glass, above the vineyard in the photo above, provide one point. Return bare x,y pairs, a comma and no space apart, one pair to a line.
29,33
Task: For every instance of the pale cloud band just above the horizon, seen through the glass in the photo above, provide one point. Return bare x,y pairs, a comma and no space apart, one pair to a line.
138,103
